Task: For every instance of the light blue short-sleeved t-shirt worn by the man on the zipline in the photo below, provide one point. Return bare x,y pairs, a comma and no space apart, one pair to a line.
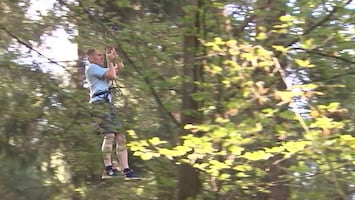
97,83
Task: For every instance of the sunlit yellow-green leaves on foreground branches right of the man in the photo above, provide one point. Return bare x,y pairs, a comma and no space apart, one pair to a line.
235,142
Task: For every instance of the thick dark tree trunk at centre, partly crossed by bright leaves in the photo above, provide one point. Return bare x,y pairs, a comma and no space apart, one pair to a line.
188,180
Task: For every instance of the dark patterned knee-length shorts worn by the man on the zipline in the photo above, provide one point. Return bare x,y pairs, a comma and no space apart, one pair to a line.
105,116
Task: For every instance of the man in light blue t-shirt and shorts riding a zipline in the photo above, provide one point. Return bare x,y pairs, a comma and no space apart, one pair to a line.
99,77
